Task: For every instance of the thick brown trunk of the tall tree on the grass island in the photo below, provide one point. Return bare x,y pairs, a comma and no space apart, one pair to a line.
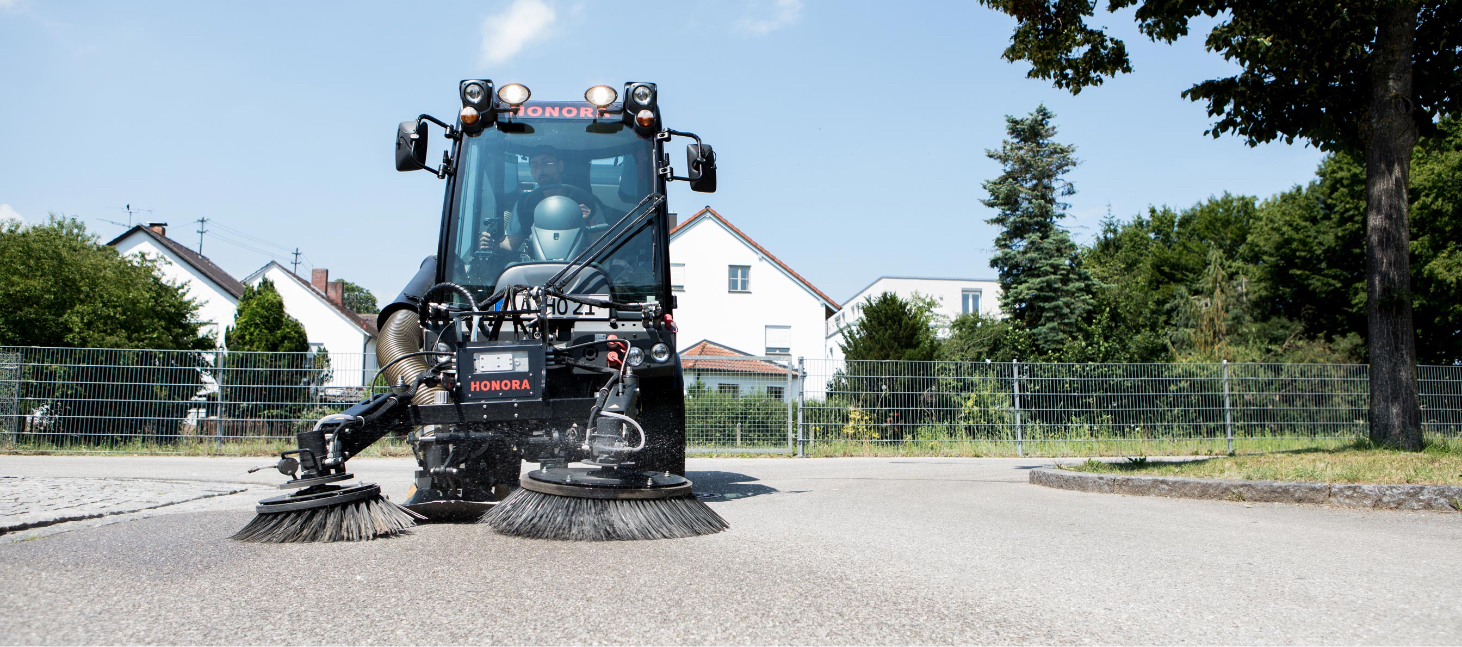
1390,137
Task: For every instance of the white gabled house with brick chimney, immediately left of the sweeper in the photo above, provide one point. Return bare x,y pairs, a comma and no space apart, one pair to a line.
328,323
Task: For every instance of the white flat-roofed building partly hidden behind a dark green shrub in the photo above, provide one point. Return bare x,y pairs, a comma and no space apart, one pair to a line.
955,297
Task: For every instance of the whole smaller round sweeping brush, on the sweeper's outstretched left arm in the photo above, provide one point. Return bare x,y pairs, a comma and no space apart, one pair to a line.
327,513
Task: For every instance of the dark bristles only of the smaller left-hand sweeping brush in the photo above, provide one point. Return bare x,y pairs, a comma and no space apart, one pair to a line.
355,522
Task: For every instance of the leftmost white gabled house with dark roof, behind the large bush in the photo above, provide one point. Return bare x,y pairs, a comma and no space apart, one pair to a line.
214,290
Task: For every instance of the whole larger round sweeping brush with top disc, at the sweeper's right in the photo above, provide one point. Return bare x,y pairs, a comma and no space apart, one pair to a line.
603,506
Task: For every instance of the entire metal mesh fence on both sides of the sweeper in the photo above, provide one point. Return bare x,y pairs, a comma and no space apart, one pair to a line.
232,402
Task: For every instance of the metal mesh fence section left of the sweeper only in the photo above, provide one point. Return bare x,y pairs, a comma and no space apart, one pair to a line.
170,401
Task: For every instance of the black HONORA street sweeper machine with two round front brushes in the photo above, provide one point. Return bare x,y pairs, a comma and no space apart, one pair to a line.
542,331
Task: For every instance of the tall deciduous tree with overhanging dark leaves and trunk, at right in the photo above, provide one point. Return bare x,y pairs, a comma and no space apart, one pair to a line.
1344,75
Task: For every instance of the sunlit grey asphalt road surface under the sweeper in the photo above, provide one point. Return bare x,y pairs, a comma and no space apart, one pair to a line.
821,551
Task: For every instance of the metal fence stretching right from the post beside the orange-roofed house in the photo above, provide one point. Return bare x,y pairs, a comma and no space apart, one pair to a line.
1088,410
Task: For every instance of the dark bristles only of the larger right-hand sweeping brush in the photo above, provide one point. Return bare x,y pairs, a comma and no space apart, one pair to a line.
545,516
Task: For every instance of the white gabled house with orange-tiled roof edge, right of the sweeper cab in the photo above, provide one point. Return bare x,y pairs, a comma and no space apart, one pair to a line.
735,293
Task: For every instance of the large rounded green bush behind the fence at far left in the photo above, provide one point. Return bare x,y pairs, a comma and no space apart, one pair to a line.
62,288
